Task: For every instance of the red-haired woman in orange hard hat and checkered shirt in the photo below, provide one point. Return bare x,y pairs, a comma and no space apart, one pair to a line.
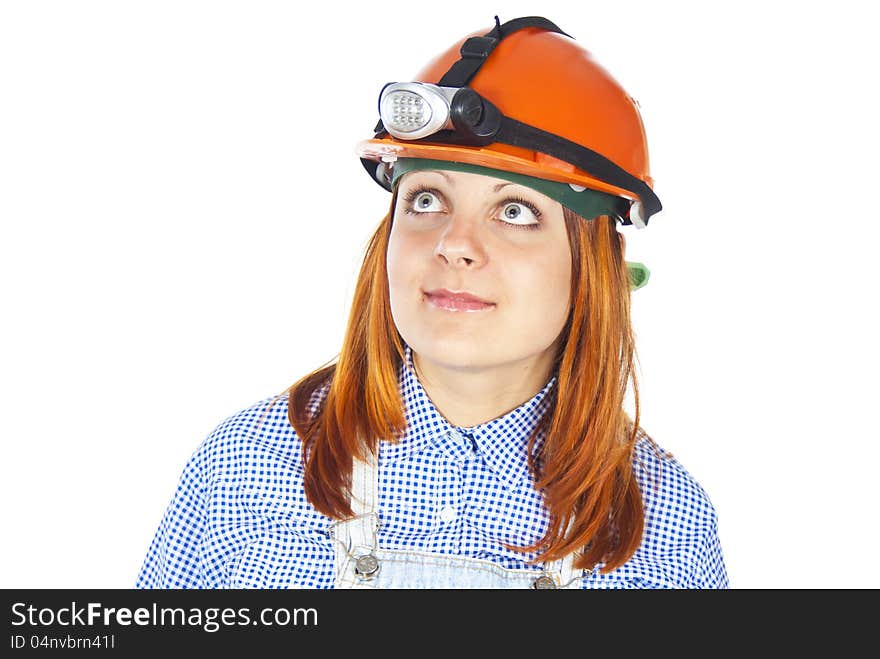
471,433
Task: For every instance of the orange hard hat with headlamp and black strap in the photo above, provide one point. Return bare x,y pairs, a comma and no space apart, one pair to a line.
557,115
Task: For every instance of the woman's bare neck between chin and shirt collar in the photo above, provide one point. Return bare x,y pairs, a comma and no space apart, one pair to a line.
468,397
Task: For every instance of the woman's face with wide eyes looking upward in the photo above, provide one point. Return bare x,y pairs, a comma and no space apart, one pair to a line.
504,243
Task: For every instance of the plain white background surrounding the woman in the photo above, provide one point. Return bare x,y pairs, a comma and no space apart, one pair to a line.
183,217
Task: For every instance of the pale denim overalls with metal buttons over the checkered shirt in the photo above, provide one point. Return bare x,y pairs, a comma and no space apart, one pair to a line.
360,563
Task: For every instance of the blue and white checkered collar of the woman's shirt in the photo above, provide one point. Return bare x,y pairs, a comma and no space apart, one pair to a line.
502,442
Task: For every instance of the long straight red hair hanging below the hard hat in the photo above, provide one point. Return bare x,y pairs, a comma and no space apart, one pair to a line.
585,465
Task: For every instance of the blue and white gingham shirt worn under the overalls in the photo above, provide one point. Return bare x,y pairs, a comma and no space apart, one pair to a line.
240,519
